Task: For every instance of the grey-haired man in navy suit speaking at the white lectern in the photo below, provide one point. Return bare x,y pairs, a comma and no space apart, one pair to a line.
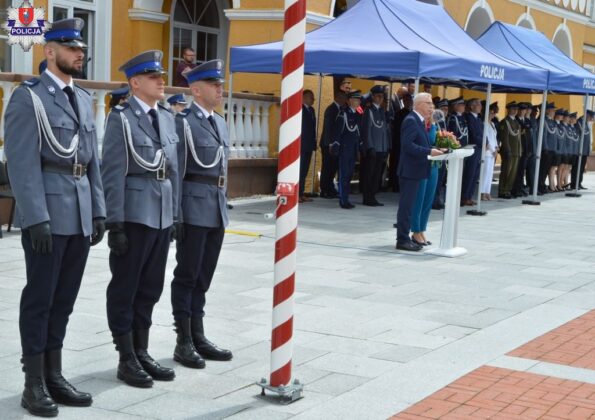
413,165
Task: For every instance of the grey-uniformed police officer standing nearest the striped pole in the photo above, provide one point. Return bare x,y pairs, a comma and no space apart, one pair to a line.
203,156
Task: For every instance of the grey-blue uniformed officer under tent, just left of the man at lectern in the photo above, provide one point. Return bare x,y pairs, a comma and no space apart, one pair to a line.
376,145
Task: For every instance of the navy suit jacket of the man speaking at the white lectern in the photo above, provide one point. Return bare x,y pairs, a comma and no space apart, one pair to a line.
415,149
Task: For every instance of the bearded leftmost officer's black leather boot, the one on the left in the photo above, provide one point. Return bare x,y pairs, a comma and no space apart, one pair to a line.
36,397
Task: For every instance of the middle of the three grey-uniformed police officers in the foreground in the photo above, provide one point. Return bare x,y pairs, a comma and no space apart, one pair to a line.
140,178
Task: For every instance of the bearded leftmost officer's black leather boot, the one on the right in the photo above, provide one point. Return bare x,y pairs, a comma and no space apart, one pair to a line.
60,389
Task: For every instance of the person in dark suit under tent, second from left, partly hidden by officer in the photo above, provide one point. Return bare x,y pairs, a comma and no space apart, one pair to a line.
330,162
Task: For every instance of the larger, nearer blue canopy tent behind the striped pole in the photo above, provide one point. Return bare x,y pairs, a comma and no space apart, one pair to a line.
396,40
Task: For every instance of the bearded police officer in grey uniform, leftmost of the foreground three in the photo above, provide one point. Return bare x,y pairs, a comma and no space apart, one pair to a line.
51,148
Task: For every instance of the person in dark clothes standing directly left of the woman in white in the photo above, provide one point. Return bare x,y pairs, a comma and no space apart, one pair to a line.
473,162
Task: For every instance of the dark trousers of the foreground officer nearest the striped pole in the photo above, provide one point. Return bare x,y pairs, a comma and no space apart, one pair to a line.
197,258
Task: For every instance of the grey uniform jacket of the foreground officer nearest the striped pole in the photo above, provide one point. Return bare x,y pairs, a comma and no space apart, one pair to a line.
203,204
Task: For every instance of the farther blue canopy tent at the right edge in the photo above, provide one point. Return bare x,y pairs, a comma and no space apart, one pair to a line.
533,48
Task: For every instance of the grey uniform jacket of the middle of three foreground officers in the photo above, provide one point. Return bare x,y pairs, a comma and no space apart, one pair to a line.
129,196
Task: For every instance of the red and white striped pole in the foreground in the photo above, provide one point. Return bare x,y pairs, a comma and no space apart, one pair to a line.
292,85
